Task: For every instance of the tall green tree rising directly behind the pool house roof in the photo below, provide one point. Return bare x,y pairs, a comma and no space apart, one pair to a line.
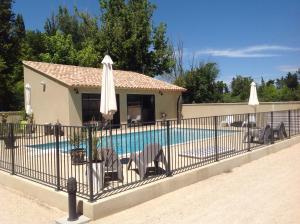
127,33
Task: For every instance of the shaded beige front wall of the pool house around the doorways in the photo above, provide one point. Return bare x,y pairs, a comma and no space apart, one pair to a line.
166,103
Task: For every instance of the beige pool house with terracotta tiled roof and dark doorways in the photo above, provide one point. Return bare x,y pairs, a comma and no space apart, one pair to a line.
71,95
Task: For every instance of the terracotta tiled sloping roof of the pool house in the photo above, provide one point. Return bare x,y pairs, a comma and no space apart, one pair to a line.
76,76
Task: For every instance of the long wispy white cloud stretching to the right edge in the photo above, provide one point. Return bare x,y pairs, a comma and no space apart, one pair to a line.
257,51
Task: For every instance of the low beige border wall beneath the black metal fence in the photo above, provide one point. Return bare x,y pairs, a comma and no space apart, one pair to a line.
124,200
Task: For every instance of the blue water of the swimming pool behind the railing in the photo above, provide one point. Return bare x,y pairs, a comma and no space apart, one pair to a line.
136,141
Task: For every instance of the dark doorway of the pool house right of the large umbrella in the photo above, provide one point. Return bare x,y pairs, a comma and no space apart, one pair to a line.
140,108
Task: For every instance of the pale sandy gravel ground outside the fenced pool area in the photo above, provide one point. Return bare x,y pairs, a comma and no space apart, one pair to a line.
263,191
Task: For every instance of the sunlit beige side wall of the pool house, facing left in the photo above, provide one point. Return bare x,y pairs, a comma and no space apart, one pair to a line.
51,105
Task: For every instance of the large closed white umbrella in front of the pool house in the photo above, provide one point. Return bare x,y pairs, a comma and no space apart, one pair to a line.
108,104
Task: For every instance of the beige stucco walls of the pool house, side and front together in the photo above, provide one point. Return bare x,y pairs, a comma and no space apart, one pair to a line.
61,103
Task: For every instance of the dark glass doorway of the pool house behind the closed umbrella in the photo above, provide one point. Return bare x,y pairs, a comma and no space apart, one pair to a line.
91,109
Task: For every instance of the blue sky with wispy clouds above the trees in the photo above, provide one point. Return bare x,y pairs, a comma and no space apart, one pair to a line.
259,38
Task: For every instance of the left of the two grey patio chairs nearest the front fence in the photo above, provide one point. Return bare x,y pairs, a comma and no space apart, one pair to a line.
111,161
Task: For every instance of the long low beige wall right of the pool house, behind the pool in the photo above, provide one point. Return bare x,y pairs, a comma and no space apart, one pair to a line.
215,109
